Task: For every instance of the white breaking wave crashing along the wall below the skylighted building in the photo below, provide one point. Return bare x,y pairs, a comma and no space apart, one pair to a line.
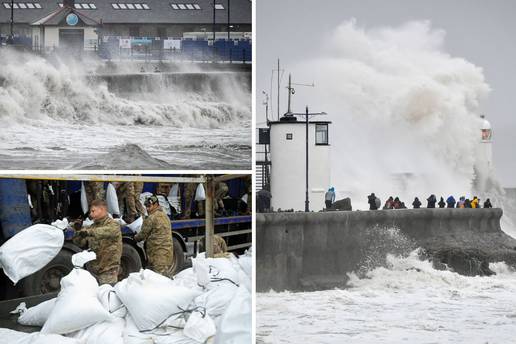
34,90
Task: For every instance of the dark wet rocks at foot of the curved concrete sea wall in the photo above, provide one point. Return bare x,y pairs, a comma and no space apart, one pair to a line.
467,262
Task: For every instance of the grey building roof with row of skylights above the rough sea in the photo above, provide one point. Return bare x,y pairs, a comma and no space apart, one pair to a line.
158,12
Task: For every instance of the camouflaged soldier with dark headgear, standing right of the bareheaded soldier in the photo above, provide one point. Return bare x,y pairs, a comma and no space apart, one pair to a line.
157,233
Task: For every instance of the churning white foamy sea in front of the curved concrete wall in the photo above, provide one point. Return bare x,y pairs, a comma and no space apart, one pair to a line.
408,302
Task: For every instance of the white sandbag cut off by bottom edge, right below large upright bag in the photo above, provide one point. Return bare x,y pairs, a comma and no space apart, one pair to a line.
107,332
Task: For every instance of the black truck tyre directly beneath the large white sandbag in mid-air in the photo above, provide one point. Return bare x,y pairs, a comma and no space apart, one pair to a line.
47,280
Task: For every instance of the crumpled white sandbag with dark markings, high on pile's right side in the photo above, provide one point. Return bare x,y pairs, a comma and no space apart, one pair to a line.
212,272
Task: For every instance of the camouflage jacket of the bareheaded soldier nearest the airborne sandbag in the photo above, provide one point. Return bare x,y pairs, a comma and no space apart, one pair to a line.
105,239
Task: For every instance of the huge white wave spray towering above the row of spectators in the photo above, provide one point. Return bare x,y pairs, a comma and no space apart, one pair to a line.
401,108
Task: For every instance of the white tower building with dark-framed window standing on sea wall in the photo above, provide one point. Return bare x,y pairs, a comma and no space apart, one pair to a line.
288,163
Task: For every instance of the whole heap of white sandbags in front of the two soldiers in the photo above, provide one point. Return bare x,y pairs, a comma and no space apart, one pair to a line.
210,302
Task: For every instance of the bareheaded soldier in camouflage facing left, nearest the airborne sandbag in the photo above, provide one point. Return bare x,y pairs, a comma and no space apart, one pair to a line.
105,239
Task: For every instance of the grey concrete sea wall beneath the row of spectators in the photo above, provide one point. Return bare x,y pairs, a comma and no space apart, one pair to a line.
297,251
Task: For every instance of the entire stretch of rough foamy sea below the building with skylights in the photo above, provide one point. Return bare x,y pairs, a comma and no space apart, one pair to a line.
57,115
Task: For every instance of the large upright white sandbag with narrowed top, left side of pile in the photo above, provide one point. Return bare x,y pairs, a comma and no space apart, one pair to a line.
77,305
